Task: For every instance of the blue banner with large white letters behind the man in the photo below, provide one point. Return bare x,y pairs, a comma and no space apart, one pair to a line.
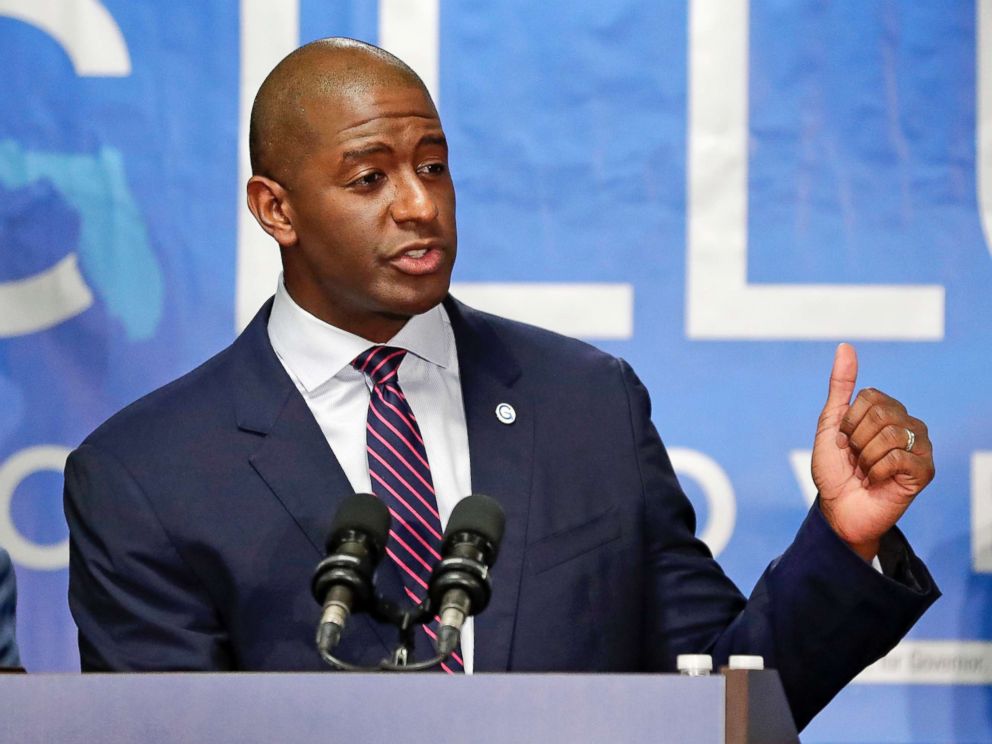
719,192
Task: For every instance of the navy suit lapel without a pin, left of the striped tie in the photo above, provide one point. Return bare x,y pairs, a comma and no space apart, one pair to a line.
293,457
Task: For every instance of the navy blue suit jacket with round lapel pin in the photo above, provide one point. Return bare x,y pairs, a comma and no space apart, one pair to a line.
198,513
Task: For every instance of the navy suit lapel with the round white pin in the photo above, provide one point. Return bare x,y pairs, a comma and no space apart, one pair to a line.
501,462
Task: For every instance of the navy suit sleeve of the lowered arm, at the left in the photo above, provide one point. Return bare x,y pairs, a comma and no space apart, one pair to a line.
137,604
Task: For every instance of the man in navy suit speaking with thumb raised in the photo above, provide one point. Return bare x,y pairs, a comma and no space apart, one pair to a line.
197,514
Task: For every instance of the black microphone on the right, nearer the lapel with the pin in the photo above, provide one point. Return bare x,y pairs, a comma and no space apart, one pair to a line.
460,584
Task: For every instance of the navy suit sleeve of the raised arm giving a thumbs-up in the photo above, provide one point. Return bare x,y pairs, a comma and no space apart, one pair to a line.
818,595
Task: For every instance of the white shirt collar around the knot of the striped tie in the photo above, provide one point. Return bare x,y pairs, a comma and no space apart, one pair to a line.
316,351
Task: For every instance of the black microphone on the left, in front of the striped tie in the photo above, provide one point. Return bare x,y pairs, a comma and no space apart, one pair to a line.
342,582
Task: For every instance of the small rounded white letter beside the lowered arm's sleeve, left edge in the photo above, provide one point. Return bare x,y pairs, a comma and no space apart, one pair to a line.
18,467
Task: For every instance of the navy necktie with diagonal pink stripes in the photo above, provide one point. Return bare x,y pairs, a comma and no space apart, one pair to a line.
401,477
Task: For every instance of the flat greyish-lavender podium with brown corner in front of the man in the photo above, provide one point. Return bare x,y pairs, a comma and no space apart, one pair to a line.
737,707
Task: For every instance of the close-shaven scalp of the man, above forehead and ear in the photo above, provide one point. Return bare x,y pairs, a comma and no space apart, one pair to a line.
281,130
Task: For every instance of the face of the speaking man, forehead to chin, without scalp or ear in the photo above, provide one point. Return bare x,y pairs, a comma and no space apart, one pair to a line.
372,208
